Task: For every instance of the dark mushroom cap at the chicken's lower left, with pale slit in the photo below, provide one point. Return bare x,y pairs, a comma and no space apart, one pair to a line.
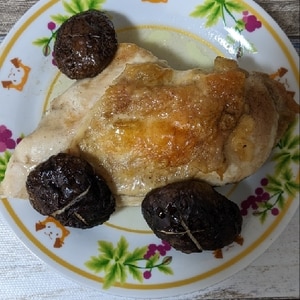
67,188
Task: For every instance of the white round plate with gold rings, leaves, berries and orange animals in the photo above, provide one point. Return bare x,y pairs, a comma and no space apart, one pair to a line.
187,35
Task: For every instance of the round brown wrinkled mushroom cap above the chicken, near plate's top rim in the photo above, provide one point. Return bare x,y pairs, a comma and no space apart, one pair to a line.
85,44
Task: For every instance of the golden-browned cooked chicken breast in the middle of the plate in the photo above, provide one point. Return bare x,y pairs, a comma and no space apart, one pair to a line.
143,125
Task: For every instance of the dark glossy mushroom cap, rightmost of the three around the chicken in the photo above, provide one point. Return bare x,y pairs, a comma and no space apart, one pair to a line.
191,216
